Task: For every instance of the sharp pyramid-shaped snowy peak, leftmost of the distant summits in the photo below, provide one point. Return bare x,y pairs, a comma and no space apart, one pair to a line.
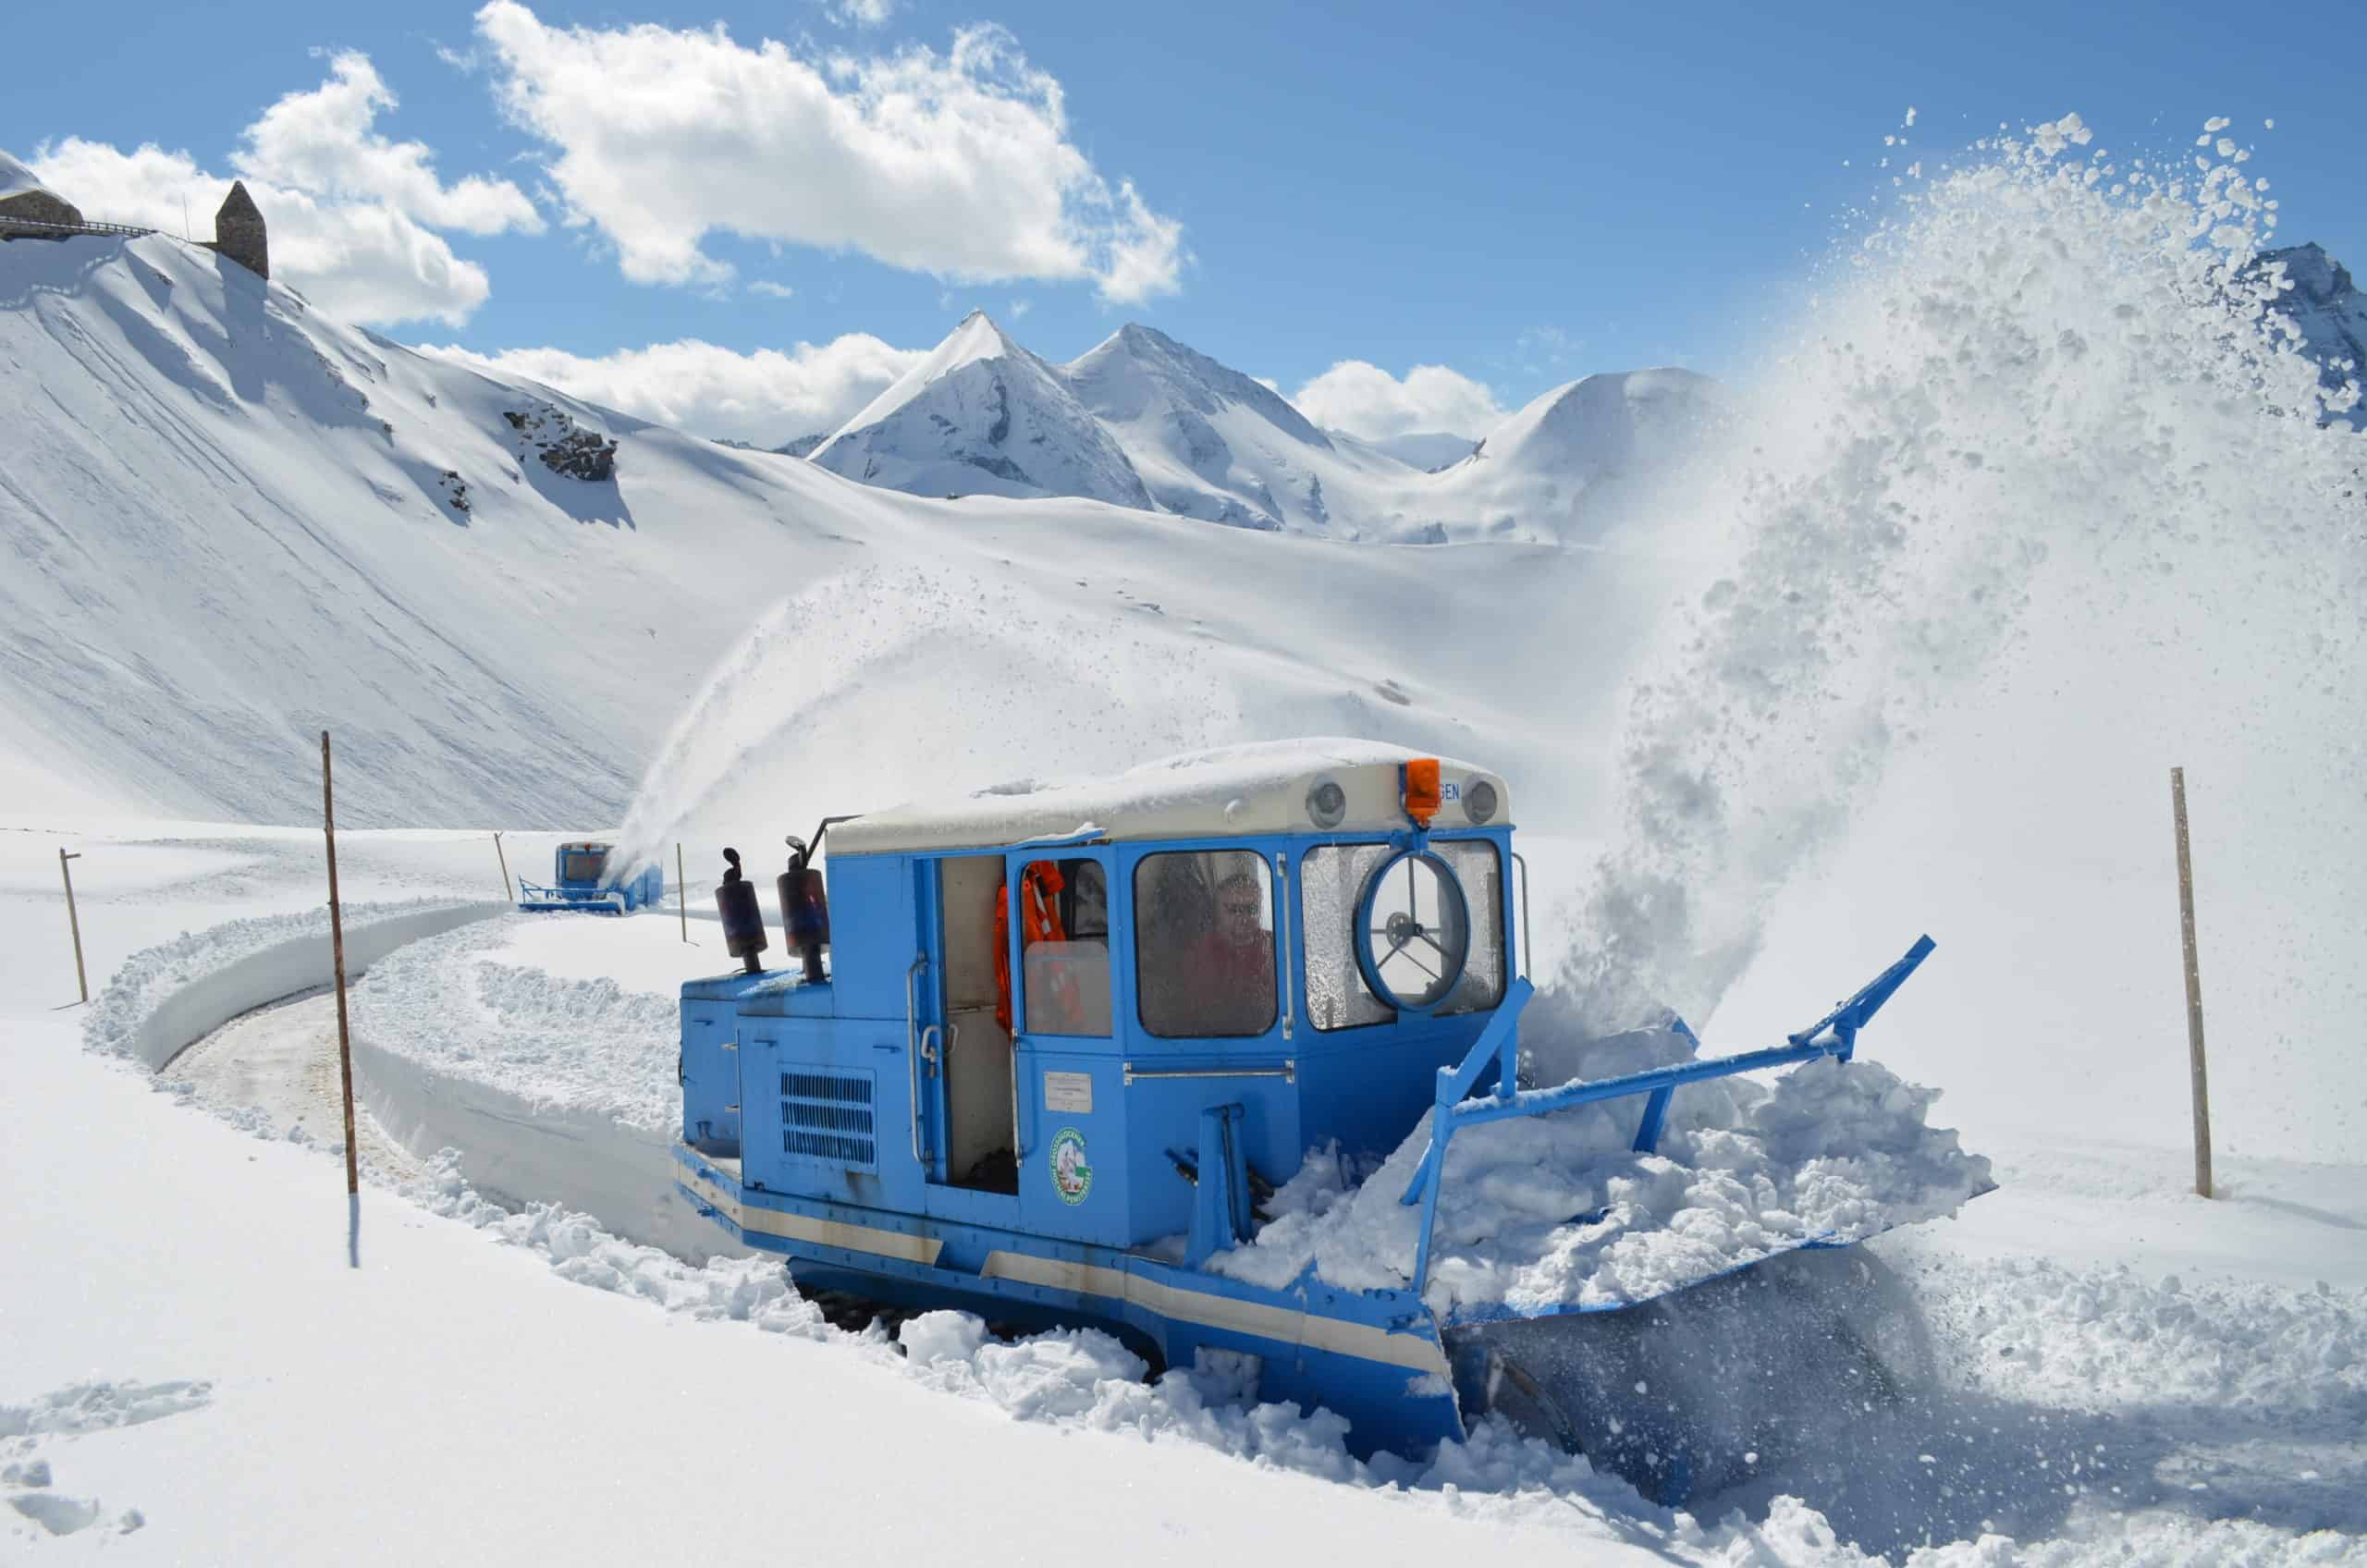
983,418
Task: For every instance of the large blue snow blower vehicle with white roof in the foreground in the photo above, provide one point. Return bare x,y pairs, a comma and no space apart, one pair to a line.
1073,1039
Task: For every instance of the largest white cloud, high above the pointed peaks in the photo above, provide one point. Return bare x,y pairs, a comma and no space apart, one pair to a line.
953,165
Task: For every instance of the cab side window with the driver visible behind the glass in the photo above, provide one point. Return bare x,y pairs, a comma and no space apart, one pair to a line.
1204,944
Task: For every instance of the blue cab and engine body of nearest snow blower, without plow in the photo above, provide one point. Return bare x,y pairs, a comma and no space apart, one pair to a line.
1092,1013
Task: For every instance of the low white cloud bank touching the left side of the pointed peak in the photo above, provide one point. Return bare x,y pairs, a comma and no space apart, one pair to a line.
766,397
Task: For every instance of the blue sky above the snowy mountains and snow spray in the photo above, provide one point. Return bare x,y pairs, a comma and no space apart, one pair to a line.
1509,193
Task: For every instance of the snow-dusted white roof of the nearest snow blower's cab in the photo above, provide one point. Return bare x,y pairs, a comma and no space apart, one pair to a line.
1204,795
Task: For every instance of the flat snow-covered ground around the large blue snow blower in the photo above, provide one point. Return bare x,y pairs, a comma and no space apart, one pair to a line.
2110,1356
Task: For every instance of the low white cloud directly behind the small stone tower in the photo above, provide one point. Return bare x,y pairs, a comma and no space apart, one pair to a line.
354,259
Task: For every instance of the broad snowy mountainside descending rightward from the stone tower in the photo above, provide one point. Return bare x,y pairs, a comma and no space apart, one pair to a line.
228,522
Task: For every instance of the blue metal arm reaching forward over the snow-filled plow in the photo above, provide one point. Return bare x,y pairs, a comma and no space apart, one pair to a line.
1831,1036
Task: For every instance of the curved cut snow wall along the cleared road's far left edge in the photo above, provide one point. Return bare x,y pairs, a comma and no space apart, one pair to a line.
186,1015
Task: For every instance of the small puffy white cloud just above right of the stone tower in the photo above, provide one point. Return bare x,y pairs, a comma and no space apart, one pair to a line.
325,143
